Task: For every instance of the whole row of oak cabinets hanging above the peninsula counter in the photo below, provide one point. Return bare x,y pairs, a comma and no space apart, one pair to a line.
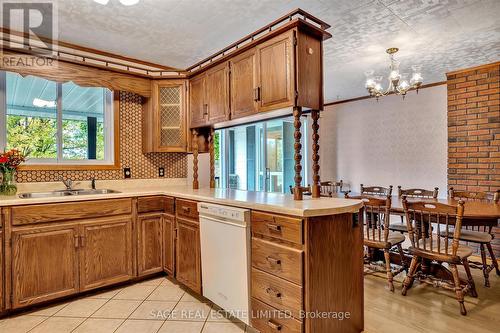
281,72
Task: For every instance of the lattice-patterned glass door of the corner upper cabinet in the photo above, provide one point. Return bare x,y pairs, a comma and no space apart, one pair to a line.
171,118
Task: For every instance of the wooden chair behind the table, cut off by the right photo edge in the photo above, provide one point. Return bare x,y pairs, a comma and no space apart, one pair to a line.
480,235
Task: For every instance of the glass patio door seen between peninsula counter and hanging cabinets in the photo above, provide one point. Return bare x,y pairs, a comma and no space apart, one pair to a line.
259,156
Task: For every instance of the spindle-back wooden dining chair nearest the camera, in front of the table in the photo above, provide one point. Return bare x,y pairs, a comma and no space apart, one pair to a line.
425,221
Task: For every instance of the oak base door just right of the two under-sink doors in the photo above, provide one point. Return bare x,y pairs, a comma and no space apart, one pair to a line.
150,244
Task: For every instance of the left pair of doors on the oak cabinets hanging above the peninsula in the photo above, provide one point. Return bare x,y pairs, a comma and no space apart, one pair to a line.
209,96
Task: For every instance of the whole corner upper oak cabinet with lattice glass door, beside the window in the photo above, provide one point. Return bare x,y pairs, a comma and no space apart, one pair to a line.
165,118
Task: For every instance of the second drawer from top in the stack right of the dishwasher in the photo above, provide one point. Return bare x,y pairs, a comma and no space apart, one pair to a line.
279,260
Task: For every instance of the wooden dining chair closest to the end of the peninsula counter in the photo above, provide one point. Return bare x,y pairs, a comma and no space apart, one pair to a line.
377,236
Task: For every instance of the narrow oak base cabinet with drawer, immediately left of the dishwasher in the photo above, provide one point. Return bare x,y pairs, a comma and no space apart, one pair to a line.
188,248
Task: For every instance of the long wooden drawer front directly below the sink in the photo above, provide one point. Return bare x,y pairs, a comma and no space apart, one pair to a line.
70,211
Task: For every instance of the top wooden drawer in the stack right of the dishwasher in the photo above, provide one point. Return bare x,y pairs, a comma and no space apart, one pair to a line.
277,226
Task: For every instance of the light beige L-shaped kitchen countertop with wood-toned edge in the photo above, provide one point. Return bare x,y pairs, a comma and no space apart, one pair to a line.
269,202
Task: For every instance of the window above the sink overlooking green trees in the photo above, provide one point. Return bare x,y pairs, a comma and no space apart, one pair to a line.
56,123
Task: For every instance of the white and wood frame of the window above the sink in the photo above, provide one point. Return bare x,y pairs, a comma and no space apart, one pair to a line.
111,132
